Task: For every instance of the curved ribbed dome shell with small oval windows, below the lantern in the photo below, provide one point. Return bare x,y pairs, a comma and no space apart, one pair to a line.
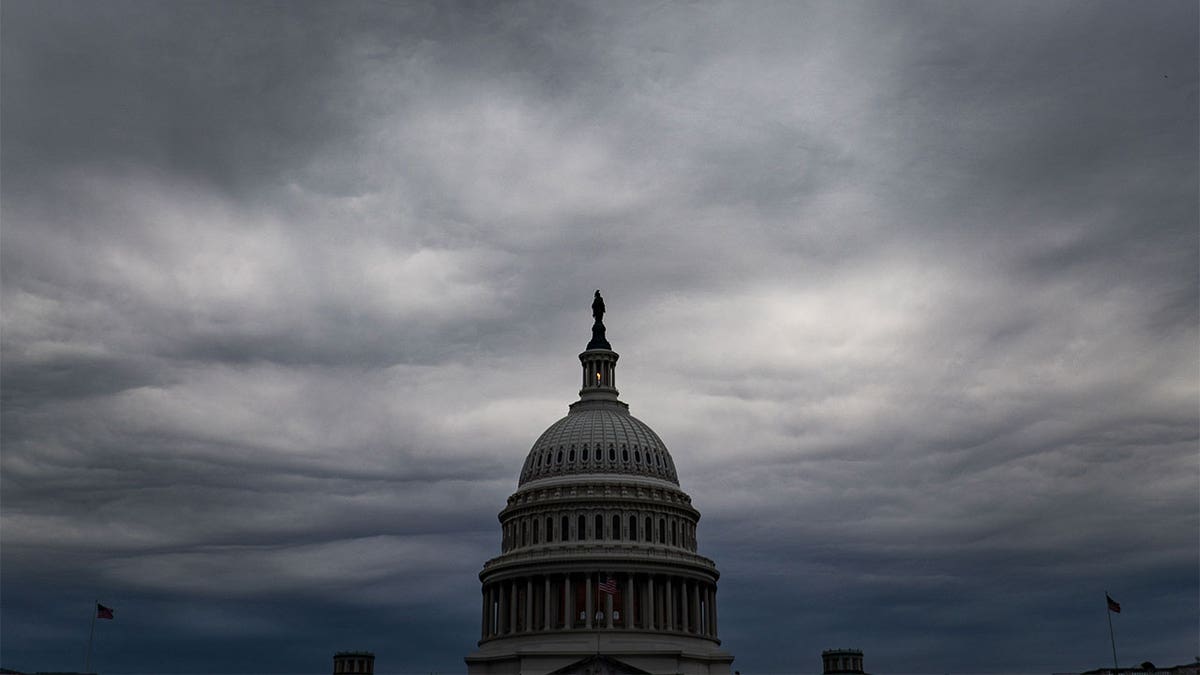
599,438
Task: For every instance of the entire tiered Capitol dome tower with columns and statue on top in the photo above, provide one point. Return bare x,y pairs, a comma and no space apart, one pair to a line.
599,570
